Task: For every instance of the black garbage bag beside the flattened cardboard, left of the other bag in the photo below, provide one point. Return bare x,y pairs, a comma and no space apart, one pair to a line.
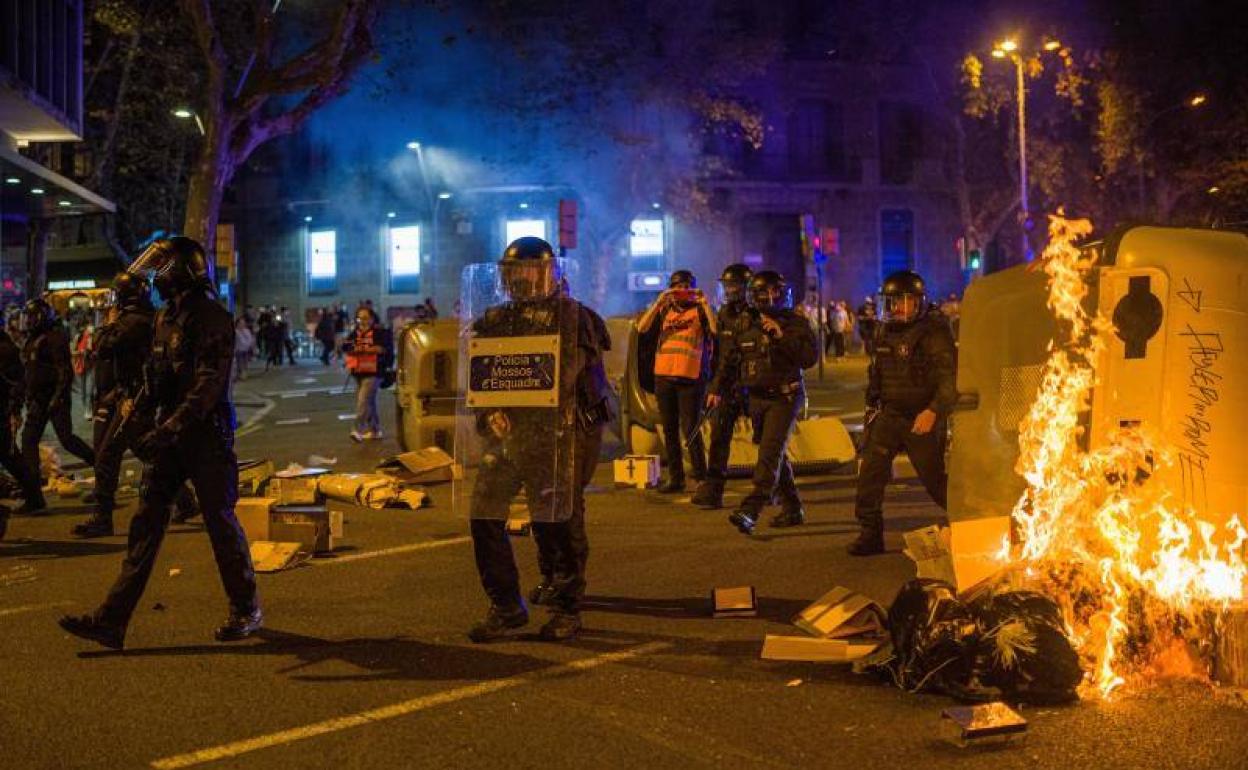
934,638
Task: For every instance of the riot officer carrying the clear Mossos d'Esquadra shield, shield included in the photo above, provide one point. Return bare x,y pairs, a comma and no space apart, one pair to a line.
537,397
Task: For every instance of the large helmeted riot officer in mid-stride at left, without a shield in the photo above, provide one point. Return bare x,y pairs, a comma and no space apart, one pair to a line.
188,387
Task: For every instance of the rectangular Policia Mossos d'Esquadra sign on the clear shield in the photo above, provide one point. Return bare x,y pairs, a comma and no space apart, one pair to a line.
514,371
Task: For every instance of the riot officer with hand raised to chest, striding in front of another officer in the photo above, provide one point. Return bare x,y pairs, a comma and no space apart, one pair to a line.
768,359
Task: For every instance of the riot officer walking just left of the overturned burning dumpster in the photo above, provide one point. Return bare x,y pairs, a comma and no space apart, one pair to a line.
910,394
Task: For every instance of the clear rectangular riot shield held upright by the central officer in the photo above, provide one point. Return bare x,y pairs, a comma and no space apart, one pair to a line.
516,434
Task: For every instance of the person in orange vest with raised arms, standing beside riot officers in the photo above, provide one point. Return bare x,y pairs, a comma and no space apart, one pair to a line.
682,368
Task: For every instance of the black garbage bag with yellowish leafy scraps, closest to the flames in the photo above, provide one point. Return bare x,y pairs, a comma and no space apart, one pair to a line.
1024,651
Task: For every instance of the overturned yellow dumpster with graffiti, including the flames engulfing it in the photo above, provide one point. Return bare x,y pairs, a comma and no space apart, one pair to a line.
1104,390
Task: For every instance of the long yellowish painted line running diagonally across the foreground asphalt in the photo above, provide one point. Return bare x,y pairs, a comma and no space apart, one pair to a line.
399,709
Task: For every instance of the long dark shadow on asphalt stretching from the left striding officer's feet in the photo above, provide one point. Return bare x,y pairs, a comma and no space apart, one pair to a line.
380,660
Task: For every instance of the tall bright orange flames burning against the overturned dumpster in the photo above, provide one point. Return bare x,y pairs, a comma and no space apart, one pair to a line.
1096,529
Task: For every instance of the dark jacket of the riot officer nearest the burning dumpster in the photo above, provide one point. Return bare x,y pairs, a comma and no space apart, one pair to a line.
914,368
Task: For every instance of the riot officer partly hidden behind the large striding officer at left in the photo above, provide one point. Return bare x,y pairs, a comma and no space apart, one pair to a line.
122,348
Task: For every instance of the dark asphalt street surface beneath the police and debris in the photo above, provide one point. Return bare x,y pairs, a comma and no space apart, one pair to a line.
365,665
